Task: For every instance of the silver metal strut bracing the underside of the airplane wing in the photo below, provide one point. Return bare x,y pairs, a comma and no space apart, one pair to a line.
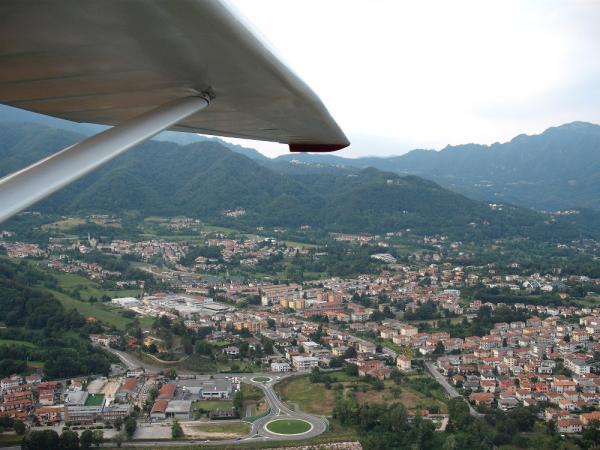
31,184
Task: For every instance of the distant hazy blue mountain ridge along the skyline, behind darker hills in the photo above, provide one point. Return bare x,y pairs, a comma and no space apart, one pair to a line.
556,170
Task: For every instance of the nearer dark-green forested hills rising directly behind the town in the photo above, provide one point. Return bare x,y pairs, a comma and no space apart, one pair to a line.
205,179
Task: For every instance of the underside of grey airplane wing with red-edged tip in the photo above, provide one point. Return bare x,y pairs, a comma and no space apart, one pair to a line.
109,61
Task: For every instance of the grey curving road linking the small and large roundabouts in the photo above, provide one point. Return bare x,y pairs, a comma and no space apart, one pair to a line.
258,433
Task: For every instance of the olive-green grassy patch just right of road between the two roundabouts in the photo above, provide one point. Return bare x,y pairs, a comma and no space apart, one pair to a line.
311,398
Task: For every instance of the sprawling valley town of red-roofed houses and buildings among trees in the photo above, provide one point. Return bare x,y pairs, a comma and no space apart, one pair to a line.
530,341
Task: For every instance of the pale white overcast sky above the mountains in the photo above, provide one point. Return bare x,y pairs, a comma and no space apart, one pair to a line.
399,75
